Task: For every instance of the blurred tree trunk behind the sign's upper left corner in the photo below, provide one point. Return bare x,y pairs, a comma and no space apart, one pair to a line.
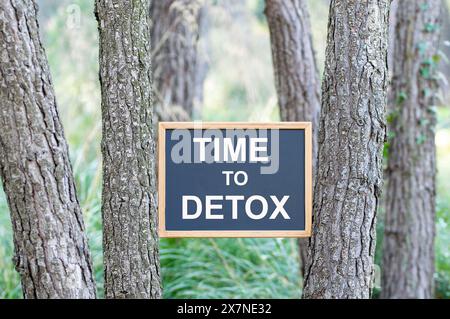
178,70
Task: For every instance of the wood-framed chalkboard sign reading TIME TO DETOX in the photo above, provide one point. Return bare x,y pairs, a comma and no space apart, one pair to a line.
234,179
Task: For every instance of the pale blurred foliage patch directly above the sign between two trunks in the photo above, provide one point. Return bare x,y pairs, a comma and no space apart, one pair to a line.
239,86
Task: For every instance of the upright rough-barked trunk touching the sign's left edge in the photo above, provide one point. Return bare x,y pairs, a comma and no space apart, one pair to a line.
130,239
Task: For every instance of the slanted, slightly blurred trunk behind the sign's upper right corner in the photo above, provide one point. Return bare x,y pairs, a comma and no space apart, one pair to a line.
296,76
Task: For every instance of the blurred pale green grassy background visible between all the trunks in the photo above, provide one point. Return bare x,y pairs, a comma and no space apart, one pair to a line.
239,86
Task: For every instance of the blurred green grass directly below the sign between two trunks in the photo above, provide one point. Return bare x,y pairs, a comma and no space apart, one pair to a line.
230,268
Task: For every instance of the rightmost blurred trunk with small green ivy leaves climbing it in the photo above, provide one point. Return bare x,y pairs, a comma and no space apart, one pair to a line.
408,254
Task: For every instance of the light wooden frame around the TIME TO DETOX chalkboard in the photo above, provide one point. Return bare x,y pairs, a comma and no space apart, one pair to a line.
307,126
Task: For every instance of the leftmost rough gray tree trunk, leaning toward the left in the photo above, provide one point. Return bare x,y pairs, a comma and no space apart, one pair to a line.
51,249
